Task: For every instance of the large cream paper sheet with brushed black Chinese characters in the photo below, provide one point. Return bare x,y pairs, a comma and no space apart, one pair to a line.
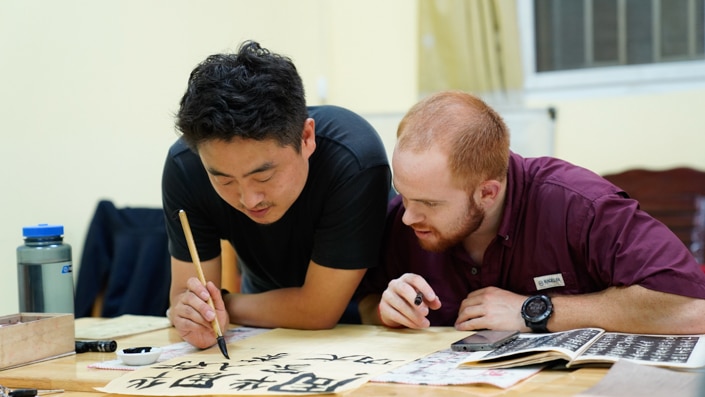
285,361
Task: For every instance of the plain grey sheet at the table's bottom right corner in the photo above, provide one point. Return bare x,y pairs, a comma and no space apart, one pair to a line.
626,378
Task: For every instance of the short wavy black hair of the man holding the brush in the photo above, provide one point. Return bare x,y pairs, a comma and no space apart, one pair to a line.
253,94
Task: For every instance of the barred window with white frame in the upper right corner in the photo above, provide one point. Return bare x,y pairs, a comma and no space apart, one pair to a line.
574,43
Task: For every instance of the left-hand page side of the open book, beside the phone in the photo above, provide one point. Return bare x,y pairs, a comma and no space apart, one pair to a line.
536,348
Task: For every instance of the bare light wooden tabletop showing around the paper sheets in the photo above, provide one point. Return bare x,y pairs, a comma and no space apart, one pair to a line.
72,374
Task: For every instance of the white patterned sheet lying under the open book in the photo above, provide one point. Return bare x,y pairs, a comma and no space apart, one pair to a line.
441,369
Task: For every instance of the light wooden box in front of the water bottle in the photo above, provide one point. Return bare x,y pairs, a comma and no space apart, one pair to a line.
26,338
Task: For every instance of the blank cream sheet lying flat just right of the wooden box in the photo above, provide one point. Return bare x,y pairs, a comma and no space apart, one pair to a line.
111,328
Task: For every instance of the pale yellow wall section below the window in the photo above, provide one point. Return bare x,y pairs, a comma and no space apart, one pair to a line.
654,130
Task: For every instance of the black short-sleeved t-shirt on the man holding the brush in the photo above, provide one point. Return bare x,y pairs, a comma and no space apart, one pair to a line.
337,221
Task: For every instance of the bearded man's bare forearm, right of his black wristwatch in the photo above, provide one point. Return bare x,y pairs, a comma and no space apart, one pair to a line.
631,309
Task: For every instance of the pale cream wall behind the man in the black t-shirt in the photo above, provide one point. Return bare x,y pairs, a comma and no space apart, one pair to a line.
88,90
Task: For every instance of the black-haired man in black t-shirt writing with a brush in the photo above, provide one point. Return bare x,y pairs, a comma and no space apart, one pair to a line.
300,192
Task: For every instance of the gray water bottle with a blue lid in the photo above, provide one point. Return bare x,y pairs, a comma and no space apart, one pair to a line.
44,271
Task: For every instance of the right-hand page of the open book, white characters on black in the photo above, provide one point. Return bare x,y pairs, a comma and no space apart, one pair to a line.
673,351
